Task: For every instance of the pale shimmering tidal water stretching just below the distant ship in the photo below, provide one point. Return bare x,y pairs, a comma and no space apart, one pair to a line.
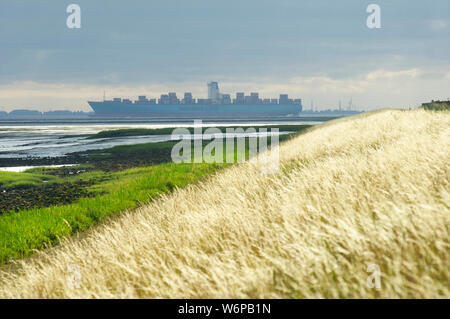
54,138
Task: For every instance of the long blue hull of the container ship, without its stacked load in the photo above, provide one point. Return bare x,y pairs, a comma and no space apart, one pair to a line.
118,109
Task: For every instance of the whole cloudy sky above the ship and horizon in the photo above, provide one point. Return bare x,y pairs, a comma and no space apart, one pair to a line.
317,50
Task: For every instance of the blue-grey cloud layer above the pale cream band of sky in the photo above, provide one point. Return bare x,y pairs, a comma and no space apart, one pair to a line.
168,40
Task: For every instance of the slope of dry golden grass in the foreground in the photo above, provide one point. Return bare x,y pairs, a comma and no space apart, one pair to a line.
370,189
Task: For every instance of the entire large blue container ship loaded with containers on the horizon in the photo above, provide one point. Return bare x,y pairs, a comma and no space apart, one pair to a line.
217,105
